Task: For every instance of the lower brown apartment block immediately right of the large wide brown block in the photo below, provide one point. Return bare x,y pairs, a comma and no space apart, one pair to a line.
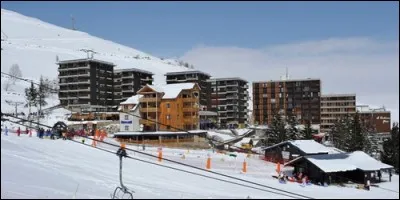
334,107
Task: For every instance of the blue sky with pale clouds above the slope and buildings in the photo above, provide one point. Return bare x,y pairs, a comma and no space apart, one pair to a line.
353,47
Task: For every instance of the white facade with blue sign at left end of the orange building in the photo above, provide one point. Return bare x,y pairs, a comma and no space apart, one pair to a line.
129,115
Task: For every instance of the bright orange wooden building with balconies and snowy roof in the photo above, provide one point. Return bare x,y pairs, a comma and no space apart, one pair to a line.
174,106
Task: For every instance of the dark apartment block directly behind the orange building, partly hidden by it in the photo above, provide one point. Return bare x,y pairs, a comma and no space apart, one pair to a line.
193,77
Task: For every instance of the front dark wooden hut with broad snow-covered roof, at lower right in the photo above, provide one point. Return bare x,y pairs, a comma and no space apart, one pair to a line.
357,167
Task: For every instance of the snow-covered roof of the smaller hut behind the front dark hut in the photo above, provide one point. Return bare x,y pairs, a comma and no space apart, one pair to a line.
307,146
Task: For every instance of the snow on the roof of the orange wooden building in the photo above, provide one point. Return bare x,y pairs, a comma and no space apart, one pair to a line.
171,91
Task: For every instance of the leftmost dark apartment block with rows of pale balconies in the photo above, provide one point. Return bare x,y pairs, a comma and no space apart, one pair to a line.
86,83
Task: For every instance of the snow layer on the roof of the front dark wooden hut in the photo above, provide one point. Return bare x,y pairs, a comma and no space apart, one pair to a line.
346,162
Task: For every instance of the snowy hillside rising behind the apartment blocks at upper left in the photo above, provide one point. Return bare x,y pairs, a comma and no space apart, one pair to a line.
34,45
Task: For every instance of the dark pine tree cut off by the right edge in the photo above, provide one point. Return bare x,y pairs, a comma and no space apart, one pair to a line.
390,153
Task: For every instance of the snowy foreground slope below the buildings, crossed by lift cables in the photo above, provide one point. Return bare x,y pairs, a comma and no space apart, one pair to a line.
35,168
